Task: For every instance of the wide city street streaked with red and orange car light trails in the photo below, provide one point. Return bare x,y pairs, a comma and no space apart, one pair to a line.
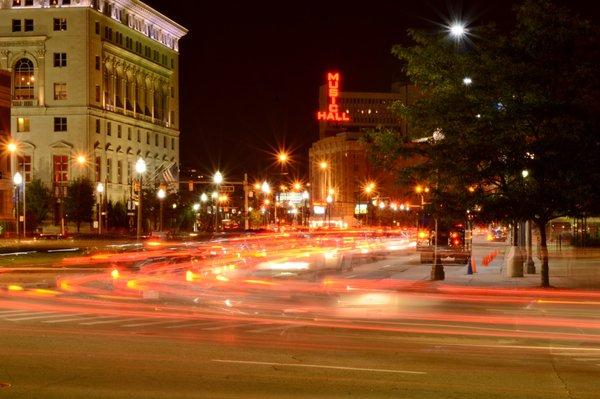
273,316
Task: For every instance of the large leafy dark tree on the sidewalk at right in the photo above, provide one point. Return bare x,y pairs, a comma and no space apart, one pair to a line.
520,139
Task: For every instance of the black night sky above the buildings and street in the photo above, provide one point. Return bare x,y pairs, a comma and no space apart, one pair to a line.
250,70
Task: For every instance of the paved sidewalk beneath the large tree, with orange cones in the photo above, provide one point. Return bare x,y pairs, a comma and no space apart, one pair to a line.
569,268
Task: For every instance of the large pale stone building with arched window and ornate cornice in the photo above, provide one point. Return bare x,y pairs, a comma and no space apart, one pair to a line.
94,88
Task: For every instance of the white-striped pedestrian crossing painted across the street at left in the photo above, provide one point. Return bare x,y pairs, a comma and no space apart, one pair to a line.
129,322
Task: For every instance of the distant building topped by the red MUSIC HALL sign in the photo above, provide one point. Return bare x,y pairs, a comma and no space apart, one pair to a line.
339,166
